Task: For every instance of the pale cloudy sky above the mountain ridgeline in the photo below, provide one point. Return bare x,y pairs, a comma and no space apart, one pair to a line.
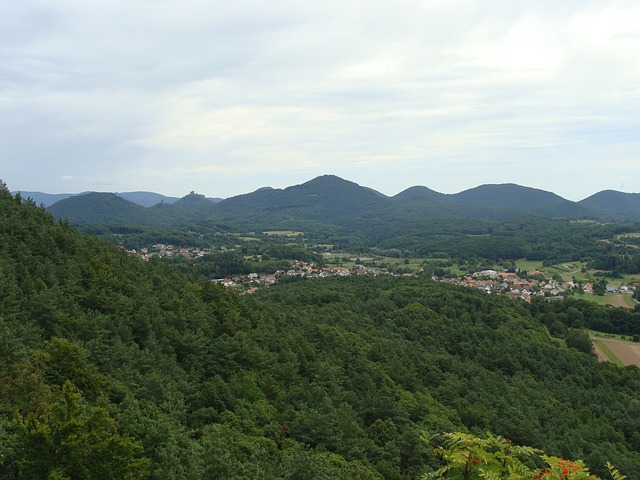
225,97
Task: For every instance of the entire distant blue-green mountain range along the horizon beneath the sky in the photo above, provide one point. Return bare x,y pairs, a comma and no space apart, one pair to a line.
330,200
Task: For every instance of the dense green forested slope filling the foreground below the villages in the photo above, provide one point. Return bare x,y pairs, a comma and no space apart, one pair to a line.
113,368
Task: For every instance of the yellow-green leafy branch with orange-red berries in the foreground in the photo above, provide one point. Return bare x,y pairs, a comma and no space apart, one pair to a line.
467,457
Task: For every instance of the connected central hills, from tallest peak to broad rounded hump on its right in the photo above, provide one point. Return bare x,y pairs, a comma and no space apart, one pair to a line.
333,200
